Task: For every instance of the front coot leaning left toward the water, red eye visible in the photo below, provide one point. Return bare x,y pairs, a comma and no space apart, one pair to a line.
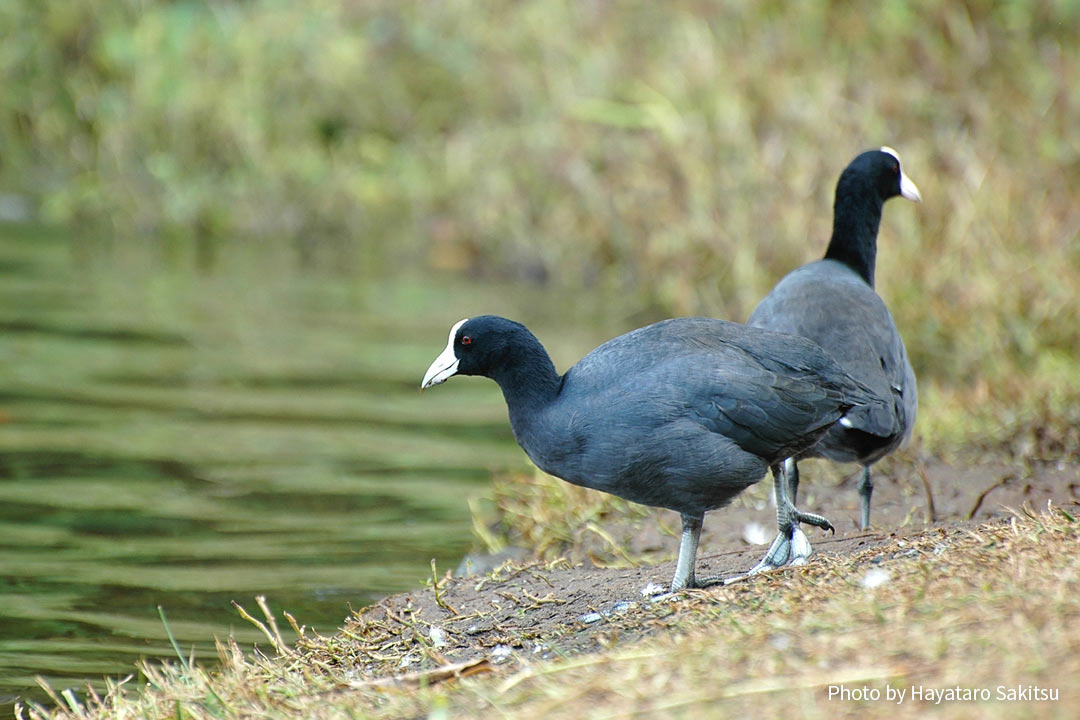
684,414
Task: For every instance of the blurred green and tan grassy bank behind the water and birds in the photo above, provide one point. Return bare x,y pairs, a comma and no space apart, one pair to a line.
680,156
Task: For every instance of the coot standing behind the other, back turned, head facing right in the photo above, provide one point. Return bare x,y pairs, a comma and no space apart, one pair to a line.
833,303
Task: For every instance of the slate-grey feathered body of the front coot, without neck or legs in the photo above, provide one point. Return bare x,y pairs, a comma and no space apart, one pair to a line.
686,413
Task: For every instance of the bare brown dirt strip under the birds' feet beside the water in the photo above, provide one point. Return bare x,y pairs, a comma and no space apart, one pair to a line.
531,610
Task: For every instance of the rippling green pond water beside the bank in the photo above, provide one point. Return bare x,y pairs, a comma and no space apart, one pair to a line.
183,438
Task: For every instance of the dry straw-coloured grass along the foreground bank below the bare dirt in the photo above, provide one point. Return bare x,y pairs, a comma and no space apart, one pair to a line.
985,607
